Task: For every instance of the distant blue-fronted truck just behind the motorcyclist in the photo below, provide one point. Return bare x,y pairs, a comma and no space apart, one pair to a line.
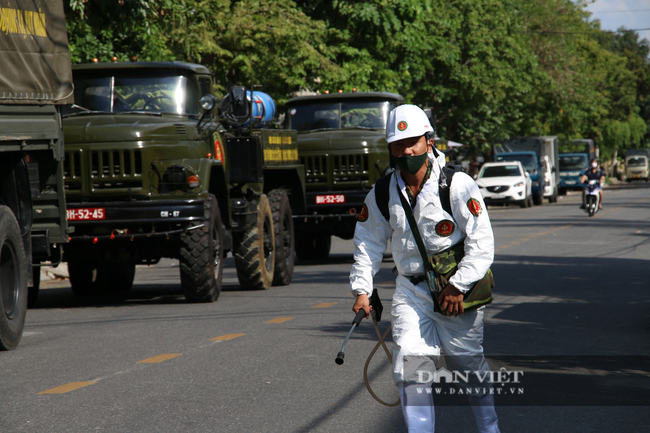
574,160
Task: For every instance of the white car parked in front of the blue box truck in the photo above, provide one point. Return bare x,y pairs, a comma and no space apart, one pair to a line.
505,182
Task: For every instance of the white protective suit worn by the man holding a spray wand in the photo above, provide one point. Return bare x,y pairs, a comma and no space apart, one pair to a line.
417,329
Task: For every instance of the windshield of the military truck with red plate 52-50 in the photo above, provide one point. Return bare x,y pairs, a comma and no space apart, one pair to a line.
339,115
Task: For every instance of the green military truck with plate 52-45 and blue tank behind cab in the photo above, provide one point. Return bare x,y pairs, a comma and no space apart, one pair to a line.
152,170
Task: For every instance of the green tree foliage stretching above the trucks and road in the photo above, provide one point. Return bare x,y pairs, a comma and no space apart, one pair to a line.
489,68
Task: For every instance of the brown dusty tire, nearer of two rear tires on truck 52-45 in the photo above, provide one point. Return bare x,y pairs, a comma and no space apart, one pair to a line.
255,253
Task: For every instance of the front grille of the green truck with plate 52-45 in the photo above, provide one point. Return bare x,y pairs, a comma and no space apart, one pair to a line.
108,169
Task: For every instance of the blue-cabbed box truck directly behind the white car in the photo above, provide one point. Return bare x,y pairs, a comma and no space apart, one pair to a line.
539,156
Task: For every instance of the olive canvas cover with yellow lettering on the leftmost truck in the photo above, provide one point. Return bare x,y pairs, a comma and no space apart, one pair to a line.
34,51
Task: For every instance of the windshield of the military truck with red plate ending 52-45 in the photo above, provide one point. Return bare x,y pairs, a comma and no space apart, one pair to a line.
123,91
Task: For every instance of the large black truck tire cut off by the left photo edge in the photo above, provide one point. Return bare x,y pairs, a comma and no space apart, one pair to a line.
13,281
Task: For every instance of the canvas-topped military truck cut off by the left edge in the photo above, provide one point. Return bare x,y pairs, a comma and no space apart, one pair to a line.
35,82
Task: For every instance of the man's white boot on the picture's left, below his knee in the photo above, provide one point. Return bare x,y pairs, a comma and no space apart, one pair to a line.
417,407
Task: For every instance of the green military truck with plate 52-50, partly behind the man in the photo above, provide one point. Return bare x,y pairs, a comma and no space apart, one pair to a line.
342,144
